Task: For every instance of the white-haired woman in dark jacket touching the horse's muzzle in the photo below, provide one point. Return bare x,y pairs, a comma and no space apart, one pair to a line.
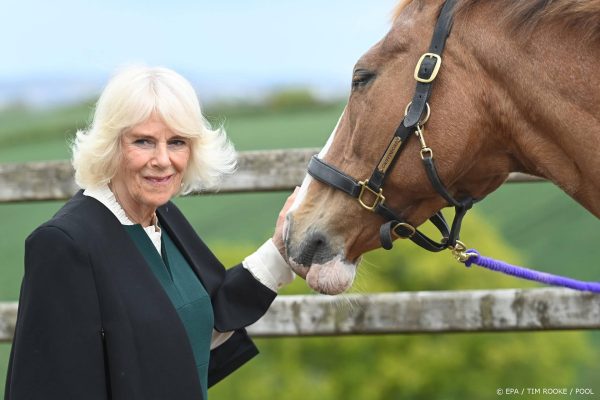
120,298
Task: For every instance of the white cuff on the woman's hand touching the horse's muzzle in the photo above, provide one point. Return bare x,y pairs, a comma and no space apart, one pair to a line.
268,266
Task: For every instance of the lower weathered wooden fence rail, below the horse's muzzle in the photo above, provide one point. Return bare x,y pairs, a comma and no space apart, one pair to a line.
413,312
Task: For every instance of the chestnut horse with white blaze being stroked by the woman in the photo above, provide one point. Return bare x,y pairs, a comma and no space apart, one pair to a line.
518,91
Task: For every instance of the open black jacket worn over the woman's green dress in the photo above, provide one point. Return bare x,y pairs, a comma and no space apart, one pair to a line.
95,323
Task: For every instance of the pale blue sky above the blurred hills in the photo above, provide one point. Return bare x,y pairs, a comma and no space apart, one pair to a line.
229,47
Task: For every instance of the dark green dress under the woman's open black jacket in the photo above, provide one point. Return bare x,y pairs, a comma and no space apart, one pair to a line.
185,291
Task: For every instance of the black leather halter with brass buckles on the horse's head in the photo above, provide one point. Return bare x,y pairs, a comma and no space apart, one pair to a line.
416,116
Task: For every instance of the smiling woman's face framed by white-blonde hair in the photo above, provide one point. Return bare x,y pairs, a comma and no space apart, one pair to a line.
154,159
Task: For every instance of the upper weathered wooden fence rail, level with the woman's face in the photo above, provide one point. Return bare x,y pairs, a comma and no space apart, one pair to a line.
258,171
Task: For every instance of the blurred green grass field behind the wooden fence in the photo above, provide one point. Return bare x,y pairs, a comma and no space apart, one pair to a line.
547,229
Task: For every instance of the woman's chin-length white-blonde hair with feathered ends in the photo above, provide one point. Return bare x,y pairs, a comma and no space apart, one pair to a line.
130,98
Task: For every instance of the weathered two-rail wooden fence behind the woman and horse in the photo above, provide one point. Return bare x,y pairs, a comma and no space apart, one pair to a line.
311,315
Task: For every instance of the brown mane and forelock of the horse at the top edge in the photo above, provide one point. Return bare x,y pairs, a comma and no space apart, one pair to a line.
522,16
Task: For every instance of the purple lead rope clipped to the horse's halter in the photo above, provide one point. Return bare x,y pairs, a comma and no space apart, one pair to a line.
521,272
